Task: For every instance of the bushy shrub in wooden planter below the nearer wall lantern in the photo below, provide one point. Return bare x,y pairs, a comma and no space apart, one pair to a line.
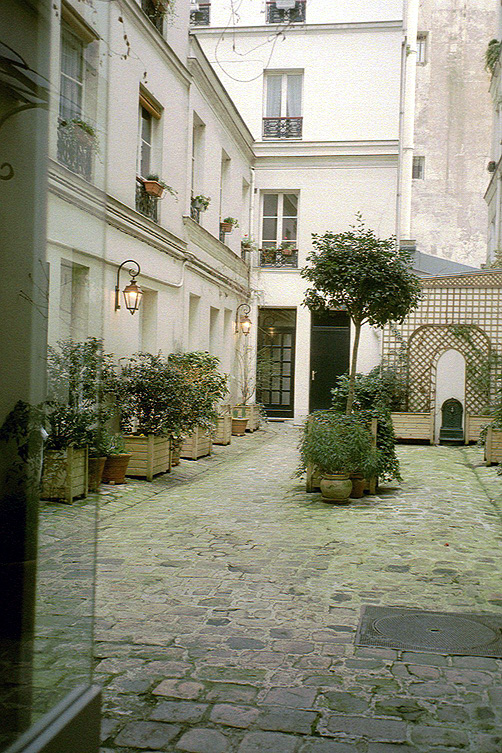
150,395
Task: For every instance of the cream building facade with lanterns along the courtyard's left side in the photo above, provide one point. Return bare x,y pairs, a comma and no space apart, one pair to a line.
156,107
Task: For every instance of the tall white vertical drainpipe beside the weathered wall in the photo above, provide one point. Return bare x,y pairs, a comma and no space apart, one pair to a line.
408,120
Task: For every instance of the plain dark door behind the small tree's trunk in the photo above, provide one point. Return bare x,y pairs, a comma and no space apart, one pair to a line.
329,355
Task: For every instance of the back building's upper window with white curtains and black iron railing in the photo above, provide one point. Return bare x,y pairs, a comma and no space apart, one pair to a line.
283,106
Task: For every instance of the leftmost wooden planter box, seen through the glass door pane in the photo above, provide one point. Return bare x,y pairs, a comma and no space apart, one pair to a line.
65,474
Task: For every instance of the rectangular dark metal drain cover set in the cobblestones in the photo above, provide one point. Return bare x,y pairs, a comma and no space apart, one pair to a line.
437,632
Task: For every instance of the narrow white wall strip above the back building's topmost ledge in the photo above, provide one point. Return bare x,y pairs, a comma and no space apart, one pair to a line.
252,12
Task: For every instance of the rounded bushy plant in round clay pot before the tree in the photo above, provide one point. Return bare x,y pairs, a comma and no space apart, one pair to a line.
337,445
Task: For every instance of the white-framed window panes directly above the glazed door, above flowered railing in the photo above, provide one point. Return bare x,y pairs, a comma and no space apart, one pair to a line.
279,220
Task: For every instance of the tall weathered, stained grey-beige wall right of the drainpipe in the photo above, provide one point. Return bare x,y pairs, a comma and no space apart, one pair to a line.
453,130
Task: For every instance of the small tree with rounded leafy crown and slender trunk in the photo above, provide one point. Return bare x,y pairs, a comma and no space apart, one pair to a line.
364,275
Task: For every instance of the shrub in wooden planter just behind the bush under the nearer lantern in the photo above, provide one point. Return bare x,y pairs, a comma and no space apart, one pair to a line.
205,387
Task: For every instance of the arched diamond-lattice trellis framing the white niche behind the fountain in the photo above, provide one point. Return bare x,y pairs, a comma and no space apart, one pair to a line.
426,345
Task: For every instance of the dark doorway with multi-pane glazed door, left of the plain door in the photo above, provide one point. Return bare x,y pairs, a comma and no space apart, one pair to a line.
275,369
